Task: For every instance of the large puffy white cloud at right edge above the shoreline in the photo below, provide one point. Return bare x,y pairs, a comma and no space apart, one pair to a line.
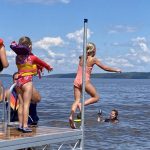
137,57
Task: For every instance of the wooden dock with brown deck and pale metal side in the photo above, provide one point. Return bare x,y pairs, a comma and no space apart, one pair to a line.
12,139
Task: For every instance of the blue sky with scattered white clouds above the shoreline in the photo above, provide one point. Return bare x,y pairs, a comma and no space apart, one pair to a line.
120,29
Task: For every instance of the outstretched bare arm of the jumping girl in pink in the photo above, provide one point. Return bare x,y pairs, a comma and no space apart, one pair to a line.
104,67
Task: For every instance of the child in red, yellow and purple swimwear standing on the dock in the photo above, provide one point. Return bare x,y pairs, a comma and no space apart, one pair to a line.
28,65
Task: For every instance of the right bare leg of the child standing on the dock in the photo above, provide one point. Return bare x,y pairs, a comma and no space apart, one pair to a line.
27,94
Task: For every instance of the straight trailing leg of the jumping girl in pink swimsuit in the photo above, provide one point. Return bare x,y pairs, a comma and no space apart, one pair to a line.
77,95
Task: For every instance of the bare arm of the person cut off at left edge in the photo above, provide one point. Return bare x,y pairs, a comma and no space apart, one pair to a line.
3,57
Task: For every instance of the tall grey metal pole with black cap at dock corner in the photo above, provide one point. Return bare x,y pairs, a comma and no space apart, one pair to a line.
83,79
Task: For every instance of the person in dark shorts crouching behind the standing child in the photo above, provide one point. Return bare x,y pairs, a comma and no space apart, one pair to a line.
14,104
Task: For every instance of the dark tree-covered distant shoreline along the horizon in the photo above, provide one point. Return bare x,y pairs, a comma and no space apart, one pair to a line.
125,75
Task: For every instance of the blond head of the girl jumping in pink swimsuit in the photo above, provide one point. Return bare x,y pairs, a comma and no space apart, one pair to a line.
91,49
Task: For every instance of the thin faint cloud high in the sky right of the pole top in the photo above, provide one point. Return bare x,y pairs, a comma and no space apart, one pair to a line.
121,29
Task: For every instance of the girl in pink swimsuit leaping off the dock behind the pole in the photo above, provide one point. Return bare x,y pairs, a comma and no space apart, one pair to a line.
89,88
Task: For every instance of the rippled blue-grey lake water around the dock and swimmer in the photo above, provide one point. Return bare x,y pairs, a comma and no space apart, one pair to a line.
131,97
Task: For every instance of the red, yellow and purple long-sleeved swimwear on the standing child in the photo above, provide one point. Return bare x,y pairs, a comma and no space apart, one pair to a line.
27,64
